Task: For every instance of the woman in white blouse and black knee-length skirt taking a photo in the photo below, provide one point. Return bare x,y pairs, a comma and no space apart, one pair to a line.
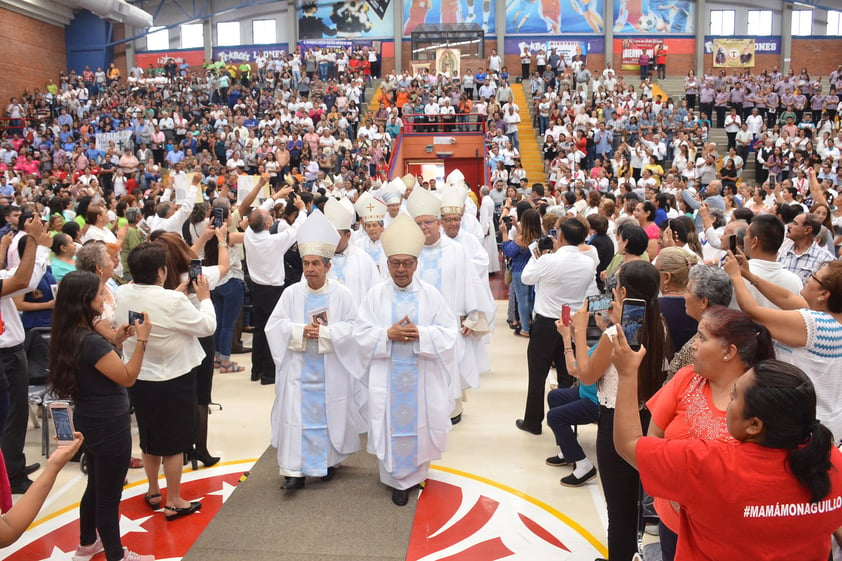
165,393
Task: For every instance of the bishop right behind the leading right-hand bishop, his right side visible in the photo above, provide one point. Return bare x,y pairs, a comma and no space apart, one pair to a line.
445,264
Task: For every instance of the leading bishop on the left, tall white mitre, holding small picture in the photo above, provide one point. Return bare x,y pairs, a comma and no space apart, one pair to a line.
315,417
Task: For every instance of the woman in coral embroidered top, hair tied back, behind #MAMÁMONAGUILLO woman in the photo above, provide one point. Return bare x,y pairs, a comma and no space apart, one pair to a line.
693,403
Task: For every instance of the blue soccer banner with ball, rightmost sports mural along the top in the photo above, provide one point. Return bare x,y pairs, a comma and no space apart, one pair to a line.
653,16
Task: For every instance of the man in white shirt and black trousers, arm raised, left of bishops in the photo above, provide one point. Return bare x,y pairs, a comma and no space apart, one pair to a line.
264,254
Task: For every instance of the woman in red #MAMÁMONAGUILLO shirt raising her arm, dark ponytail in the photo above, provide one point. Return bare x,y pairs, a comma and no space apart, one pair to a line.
775,495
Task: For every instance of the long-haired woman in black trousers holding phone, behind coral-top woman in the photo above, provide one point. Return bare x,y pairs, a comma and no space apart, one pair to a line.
638,281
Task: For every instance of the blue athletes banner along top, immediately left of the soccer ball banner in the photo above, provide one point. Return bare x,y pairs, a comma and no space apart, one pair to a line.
552,17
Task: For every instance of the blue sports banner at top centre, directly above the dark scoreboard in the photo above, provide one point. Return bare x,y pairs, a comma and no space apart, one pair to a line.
480,12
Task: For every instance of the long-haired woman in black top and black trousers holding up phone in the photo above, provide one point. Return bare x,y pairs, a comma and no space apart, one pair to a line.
88,368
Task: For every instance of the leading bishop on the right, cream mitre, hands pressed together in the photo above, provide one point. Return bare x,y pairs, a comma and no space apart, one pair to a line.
407,336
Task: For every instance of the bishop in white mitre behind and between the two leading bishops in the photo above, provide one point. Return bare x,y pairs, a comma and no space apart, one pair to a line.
350,265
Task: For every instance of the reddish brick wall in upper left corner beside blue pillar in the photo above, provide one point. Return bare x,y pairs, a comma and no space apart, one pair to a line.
33,52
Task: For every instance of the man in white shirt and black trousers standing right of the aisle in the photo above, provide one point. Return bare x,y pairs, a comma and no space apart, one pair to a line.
562,277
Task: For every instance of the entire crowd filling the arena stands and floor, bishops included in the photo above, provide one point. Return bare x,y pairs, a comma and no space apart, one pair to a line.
136,214
